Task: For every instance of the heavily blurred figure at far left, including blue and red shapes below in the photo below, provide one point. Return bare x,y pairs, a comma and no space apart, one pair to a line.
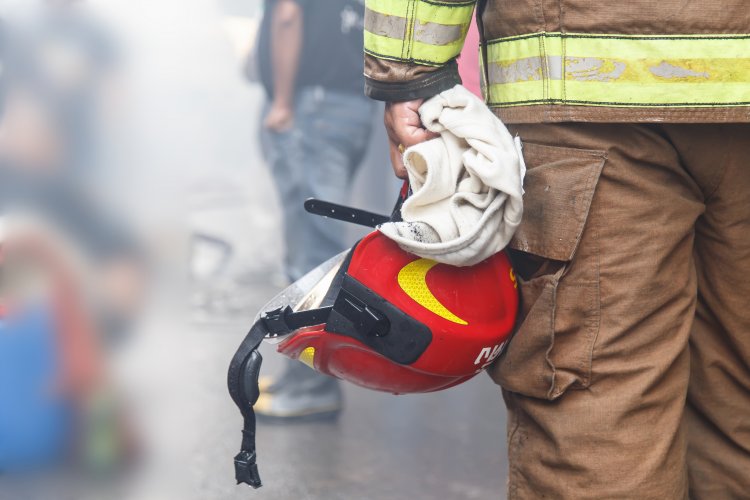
71,273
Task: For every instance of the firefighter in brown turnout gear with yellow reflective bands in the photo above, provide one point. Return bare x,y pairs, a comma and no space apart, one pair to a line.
628,374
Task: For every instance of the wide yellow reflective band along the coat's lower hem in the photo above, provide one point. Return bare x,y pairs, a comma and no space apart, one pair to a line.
614,70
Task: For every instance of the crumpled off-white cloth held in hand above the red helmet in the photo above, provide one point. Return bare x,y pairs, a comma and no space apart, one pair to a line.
467,184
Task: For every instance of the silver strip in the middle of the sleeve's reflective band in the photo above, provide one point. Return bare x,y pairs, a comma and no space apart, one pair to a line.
424,32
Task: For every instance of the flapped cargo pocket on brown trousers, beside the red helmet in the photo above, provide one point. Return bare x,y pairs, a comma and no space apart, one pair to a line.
551,349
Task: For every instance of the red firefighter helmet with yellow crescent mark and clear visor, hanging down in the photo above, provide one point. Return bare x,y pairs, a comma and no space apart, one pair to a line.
388,320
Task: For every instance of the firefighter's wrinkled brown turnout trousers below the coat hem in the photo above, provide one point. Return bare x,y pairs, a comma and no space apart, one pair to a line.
628,375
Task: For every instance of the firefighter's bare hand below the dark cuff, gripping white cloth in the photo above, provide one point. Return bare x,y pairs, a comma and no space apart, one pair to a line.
404,129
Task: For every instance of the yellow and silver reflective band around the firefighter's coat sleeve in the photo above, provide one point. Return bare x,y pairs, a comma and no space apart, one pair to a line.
424,31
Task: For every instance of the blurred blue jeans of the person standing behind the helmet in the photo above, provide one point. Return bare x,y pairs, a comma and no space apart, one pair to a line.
317,158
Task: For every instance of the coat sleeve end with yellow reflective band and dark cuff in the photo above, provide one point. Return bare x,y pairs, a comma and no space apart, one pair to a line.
411,46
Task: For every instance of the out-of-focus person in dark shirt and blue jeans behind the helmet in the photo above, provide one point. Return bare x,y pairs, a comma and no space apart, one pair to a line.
316,127
